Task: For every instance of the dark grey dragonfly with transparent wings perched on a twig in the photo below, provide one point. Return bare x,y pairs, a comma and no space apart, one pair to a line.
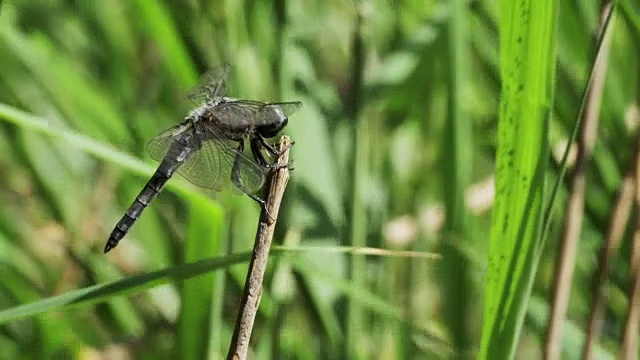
207,148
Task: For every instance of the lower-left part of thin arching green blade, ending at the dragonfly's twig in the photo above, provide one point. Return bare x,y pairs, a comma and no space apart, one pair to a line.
127,286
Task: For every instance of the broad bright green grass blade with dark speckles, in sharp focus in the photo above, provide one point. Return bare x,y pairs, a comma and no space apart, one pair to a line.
527,66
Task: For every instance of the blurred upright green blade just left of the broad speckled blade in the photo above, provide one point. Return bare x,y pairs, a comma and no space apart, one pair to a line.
456,165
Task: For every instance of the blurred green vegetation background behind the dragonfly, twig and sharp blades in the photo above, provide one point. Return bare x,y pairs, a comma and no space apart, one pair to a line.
85,84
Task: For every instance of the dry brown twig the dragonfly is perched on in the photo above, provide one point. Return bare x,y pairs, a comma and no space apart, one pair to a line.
276,184
